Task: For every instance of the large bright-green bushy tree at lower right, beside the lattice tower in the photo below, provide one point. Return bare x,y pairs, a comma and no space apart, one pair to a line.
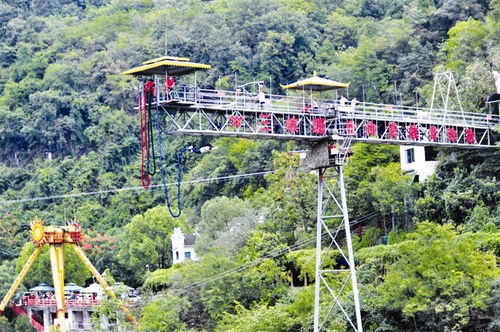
434,277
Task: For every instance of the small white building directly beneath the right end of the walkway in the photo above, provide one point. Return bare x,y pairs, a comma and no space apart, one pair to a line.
419,161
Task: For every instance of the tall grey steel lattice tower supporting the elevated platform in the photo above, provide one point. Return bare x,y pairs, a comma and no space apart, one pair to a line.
333,218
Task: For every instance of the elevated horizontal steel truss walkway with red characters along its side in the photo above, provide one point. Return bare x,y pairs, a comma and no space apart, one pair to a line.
229,113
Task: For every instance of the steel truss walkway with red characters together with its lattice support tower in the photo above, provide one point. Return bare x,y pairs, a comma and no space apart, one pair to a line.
329,129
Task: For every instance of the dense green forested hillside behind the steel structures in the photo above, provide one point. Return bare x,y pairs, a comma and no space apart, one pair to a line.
67,126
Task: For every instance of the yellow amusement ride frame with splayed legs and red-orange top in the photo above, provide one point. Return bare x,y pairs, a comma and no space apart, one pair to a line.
56,237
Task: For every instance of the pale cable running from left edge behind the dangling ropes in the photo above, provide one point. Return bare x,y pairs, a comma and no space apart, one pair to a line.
99,192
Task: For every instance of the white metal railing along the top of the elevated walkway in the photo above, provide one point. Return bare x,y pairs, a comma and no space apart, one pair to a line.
224,99
